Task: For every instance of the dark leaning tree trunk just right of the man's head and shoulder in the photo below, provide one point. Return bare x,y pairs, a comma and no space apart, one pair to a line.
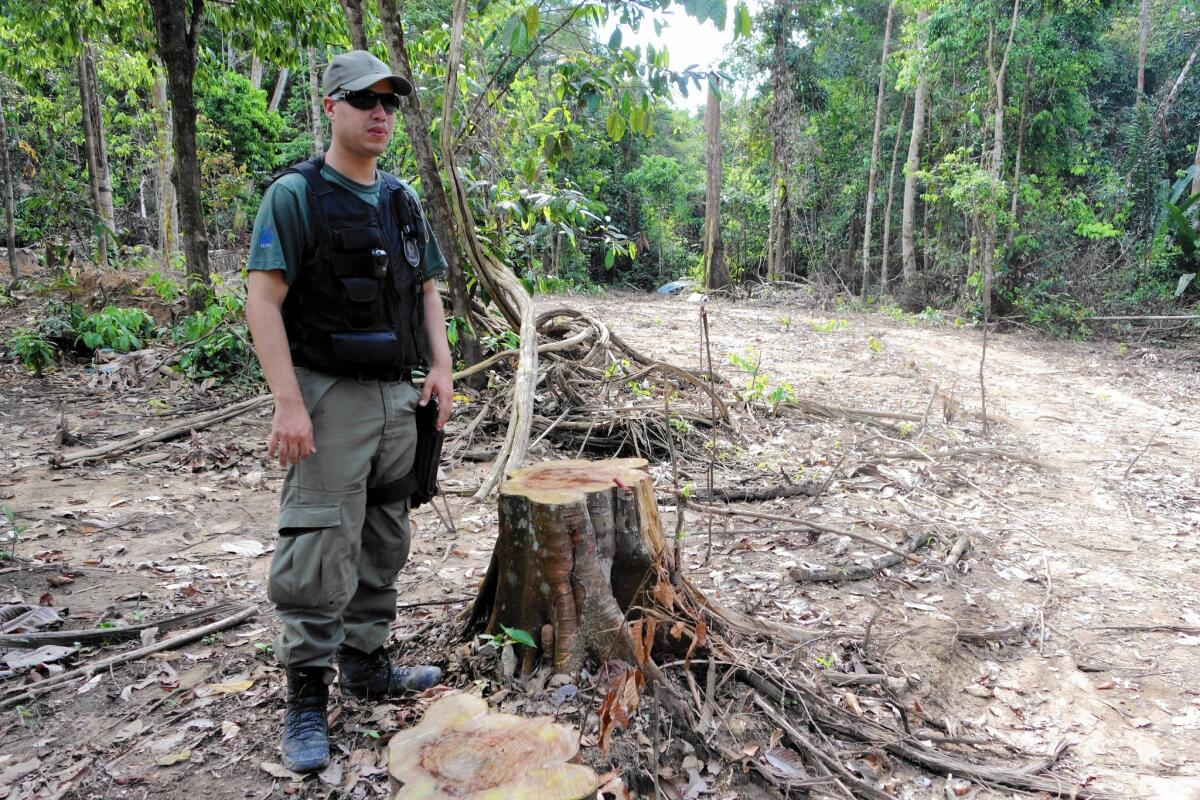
434,195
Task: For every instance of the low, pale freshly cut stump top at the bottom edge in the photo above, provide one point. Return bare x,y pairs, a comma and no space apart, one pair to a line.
460,751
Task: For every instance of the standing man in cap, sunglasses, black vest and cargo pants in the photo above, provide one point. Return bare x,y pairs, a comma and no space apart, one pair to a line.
343,308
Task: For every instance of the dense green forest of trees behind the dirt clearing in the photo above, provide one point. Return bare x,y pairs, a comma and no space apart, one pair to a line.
1039,158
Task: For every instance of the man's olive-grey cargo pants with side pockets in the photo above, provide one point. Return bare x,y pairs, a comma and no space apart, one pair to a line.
334,572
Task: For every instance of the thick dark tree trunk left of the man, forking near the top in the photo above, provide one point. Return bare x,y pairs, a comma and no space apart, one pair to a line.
178,40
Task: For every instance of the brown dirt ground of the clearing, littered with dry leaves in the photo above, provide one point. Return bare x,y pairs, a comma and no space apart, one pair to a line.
1102,532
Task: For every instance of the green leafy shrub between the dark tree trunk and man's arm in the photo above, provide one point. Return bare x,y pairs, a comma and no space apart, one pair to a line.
217,341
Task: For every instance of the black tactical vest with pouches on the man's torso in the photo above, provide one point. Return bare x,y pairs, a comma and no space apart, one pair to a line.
356,308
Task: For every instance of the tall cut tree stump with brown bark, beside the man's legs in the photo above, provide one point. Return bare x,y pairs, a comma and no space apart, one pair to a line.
580,546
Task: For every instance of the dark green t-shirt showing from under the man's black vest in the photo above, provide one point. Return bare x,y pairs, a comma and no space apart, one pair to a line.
284,231
